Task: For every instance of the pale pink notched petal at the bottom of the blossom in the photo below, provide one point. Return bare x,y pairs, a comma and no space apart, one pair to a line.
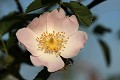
51,61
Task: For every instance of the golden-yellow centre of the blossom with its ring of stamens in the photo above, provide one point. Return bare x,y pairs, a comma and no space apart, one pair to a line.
52,42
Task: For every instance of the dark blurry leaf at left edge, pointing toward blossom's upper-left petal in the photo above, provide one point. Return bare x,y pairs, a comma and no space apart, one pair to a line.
13,21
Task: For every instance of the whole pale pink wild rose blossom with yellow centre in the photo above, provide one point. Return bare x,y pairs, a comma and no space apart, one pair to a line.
50,36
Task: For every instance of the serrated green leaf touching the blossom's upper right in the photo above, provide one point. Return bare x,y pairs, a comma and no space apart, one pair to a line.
82,12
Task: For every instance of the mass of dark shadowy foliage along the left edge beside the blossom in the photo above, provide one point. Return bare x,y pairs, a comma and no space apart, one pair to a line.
14,56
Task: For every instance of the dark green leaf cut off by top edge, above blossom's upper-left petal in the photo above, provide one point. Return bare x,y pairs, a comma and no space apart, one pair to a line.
37,4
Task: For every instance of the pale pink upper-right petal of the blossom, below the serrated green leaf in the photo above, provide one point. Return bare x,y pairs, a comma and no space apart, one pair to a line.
69,25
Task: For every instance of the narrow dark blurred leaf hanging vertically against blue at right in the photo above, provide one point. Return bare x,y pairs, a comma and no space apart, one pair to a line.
106,51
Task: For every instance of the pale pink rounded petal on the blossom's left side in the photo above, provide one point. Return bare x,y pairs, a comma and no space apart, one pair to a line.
28,38
